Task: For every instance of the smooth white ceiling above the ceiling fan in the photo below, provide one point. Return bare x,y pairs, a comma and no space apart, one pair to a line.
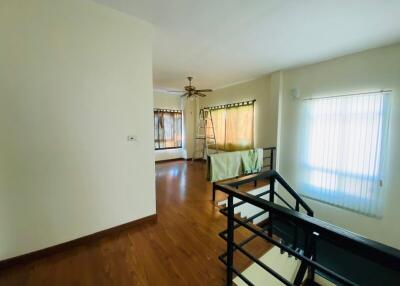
221,42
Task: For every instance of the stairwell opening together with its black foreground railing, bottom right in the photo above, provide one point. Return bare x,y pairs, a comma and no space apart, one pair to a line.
307,251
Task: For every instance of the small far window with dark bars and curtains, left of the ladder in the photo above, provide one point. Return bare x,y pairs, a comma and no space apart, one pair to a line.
167,129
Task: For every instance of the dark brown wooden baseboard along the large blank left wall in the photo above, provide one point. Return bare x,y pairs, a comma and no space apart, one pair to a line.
28,257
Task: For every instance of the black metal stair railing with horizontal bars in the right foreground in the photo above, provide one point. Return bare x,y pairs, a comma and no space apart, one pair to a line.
313,228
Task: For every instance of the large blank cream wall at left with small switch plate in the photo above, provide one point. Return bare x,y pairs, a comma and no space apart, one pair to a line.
75,81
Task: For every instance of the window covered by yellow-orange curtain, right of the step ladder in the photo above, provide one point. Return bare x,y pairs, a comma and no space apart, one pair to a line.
233,126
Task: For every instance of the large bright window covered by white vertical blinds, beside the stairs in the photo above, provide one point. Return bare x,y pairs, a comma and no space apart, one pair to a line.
344,144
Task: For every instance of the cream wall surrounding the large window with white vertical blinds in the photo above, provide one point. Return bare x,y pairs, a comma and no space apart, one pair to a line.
367,71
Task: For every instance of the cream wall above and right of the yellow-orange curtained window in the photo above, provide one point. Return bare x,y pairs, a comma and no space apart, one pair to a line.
264,90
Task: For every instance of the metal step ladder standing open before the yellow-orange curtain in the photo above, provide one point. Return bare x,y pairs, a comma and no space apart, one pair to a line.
205,136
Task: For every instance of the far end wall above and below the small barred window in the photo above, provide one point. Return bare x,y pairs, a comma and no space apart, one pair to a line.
165,100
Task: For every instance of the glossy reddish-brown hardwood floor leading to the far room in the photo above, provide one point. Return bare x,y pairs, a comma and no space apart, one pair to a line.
182,248
